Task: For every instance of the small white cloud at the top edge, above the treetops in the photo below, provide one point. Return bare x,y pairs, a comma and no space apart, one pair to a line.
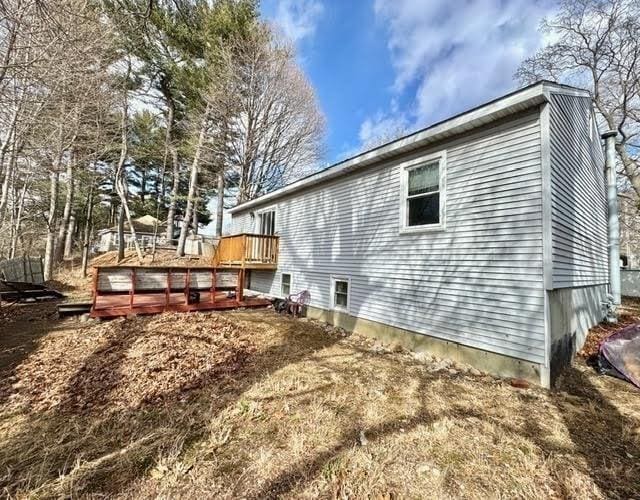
298,19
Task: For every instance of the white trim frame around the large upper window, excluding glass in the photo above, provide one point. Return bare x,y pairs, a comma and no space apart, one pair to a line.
405,168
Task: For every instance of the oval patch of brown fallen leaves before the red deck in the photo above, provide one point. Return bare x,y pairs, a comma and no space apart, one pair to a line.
129,363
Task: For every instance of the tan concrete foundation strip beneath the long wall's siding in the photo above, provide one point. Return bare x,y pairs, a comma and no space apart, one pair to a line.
496,364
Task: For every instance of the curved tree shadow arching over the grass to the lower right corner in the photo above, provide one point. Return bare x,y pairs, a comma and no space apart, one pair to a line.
599,434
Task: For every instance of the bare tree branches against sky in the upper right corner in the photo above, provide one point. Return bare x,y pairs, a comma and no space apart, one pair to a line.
597,44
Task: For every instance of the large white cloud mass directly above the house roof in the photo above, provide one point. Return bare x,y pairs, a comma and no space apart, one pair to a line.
454,55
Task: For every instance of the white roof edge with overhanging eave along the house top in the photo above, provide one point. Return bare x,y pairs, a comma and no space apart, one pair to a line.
514,102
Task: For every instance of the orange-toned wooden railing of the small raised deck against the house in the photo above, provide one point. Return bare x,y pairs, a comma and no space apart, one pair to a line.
257,251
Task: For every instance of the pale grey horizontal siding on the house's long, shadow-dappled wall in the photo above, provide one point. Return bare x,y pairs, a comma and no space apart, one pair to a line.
478,283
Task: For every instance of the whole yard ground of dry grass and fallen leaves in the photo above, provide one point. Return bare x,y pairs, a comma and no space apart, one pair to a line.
255,405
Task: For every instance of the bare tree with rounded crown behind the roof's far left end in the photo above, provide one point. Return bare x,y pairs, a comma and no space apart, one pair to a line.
277,130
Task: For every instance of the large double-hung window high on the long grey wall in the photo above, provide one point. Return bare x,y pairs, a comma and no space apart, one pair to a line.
422,194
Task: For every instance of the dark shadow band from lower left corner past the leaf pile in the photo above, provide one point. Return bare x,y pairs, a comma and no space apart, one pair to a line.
82,446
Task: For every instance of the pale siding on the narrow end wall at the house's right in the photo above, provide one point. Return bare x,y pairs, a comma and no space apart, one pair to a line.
578,195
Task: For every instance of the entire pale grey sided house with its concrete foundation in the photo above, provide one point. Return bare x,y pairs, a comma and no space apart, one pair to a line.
482,238
